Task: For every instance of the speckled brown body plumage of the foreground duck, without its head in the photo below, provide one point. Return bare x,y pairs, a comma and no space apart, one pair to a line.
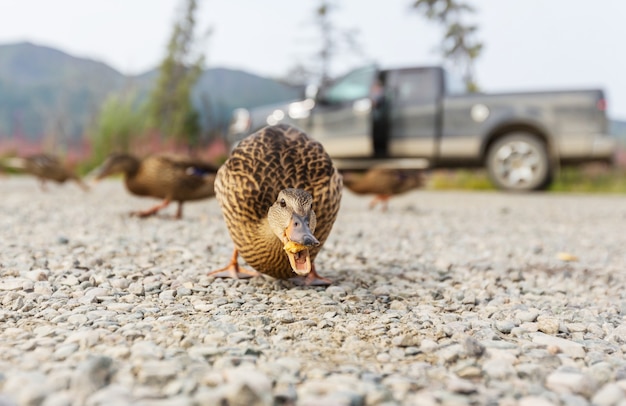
272,159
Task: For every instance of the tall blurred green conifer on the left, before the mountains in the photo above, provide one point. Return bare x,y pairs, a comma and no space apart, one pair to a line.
170,105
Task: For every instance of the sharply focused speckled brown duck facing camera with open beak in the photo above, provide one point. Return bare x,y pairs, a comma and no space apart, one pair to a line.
279,193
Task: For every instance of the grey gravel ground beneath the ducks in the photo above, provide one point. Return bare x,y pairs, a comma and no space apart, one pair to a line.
448,298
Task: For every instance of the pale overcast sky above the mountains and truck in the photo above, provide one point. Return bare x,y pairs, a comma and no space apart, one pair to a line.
529,44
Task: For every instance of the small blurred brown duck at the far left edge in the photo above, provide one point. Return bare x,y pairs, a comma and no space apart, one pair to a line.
44,167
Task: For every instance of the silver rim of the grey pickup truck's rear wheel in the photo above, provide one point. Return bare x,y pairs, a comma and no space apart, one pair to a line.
518,164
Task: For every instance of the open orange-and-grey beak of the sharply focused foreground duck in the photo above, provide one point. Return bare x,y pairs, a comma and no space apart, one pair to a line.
298,239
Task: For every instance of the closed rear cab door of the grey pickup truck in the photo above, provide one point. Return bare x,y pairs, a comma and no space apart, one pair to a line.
414,96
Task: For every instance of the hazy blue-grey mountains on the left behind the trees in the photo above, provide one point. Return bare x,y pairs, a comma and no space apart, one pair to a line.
47,92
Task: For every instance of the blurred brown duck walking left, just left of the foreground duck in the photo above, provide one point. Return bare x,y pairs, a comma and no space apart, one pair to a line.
165,176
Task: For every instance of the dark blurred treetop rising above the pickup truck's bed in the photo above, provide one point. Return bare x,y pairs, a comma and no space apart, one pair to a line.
459,44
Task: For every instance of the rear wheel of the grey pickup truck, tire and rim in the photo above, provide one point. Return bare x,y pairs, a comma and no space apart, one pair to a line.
519,162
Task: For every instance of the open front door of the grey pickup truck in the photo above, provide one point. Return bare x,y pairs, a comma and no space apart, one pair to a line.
341,119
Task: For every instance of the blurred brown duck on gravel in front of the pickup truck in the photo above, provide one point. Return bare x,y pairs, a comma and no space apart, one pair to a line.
383,183
